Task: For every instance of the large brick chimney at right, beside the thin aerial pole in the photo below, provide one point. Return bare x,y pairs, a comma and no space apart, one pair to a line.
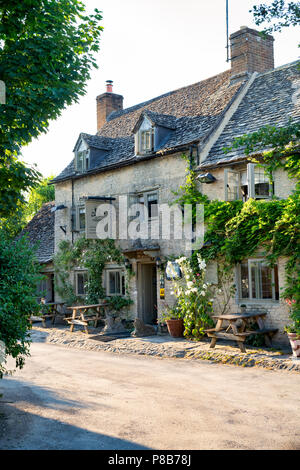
250,52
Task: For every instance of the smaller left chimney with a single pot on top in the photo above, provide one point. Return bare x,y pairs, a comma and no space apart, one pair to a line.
107,103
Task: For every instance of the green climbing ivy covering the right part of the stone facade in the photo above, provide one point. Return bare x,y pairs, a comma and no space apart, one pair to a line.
235,230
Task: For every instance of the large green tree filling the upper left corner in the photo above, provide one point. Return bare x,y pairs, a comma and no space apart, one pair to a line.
47,48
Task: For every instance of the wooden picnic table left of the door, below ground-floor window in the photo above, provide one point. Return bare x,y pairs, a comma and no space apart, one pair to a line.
80,315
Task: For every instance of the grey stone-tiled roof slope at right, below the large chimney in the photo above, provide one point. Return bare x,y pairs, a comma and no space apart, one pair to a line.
272,99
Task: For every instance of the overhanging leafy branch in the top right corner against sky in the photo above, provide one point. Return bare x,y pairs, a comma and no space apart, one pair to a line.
280,13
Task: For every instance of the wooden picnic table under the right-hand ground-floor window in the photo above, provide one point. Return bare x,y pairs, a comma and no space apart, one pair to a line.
237,327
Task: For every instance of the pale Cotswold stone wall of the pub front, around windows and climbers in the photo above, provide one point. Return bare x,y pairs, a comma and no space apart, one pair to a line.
163,174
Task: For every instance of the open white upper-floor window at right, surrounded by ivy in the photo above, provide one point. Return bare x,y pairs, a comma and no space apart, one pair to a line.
250,183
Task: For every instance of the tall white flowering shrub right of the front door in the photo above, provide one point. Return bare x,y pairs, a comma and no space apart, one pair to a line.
193,294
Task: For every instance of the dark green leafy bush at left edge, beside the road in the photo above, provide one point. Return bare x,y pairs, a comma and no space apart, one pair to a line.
19,276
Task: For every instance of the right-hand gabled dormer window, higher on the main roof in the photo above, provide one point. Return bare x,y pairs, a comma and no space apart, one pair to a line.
152,131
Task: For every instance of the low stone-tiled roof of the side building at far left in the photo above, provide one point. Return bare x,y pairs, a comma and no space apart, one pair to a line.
40,233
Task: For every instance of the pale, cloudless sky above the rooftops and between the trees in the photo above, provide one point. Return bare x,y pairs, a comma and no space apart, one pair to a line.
150,47
